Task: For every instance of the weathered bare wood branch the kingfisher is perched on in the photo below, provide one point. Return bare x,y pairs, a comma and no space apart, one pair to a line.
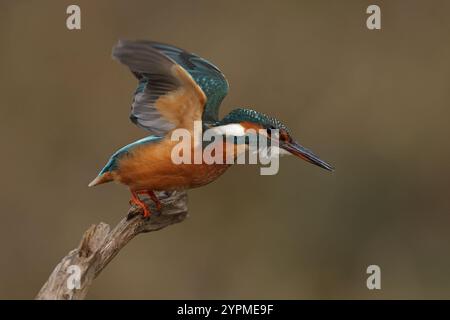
99,245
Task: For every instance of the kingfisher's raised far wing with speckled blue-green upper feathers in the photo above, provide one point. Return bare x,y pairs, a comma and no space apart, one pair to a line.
206,75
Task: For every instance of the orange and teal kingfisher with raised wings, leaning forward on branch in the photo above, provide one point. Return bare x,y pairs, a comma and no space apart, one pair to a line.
175,89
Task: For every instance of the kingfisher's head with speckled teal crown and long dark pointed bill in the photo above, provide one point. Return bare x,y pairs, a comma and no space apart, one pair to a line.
245,119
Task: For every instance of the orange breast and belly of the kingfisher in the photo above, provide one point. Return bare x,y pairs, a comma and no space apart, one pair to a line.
150,167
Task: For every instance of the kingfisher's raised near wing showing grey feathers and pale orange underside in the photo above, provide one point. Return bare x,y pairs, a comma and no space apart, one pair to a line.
167,97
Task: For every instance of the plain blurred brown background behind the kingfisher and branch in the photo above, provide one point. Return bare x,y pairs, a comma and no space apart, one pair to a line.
376,104
